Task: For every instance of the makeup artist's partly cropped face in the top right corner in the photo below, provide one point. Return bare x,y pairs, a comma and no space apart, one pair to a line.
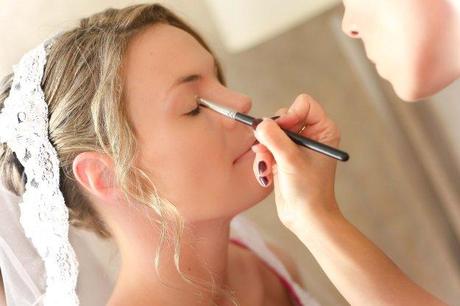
413,43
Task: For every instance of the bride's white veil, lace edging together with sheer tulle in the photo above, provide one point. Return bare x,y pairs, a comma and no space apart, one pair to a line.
38,264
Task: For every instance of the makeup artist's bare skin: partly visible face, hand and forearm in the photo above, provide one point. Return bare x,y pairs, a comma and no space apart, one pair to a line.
424,36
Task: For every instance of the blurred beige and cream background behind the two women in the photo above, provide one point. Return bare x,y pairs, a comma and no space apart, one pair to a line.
401,185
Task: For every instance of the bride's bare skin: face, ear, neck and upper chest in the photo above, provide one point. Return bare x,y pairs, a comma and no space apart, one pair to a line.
190,159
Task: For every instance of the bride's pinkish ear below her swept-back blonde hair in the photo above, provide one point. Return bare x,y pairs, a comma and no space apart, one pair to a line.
94,171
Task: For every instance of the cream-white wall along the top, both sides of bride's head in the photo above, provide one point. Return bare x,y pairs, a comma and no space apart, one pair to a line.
238,24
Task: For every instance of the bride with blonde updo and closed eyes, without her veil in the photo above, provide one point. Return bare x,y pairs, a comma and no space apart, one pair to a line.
143,165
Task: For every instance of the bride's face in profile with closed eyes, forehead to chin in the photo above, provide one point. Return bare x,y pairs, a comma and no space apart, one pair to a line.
190,154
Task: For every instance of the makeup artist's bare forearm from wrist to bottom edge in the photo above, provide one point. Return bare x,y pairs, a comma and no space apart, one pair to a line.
361,272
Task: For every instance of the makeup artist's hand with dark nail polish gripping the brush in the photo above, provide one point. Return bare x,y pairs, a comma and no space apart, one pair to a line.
303,179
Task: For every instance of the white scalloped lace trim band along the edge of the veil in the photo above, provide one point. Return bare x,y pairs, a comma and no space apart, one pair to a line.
44,215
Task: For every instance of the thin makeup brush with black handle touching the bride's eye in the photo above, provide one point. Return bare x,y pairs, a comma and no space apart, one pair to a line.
298,139
